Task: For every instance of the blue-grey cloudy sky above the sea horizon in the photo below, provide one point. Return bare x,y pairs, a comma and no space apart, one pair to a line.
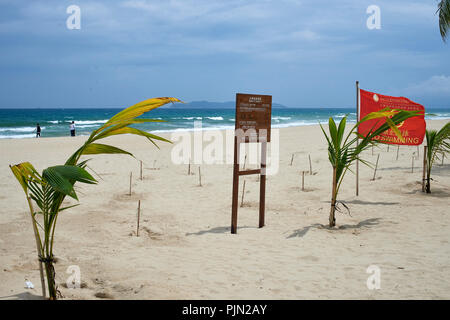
306,53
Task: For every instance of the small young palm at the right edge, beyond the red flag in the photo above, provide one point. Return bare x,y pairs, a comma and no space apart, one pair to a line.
438,143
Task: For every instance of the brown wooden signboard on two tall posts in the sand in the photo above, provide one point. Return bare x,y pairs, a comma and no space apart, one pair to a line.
253,121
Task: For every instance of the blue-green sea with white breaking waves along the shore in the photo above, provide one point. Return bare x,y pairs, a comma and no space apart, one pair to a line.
21,123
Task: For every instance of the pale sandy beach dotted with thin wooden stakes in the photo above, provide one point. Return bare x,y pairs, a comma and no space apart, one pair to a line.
185,249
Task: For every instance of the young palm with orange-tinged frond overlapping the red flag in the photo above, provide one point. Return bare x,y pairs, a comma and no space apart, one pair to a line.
342,153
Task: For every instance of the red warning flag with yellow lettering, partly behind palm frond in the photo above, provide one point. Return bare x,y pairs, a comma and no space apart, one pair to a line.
412,129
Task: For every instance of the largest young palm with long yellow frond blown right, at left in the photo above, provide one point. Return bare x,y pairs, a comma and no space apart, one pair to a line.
49,189
